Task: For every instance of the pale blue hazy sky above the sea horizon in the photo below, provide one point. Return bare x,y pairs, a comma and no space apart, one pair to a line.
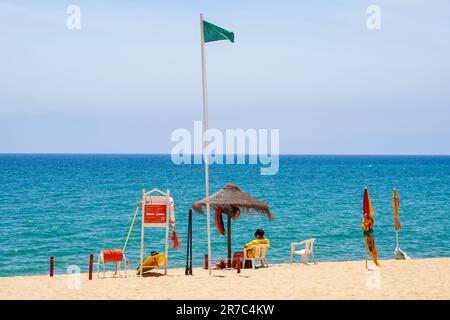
131,75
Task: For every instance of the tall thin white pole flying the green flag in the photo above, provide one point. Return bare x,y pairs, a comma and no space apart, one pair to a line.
205,144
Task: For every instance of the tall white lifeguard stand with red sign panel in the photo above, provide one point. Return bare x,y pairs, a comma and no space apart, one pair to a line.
156,212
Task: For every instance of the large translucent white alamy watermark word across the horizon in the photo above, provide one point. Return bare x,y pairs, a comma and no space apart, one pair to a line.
235,146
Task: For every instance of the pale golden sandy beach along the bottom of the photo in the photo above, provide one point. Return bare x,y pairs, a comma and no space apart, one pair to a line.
397,279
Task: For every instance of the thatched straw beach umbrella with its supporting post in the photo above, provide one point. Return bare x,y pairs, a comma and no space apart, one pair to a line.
227,200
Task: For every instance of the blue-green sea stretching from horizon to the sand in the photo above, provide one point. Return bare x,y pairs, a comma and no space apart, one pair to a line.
69,206
